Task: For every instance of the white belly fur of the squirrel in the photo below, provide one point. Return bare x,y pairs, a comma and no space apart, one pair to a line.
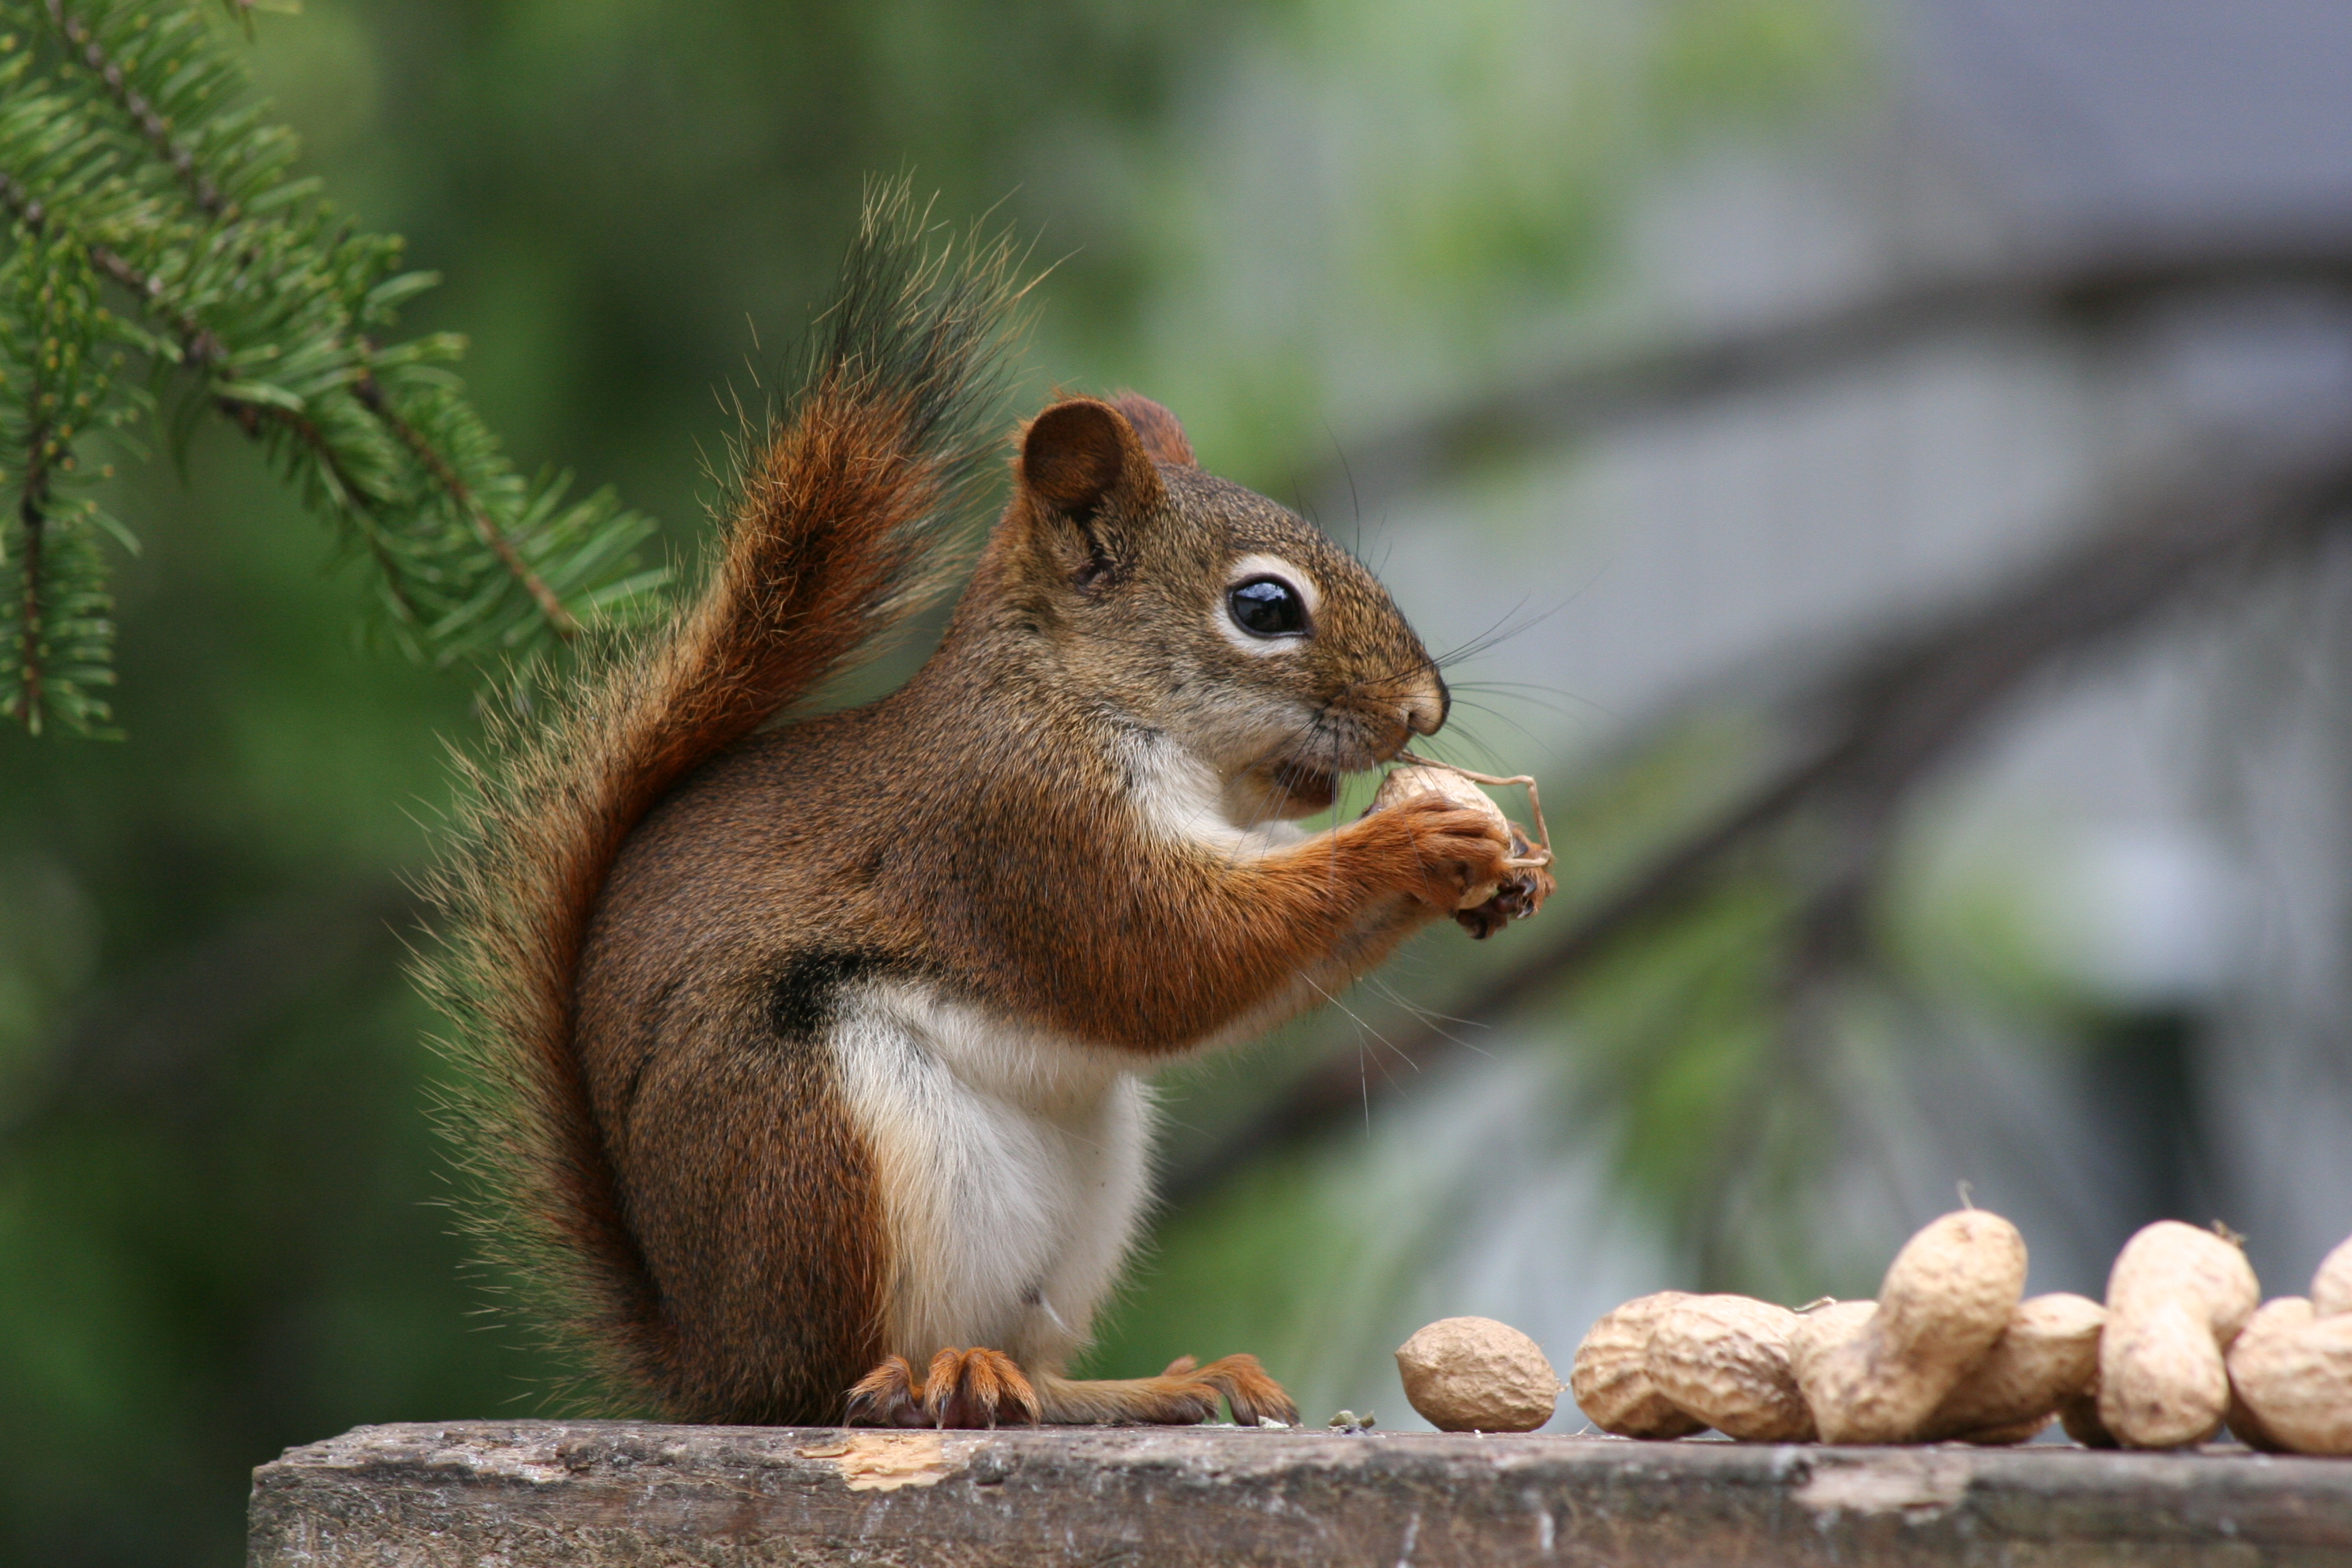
1013,1170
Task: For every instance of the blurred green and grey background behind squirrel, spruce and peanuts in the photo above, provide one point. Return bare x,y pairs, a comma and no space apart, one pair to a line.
1878,464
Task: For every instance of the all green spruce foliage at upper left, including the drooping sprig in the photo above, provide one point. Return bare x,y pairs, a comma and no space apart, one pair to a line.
135,166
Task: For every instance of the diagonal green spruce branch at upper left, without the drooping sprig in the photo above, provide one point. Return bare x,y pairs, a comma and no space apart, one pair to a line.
128,140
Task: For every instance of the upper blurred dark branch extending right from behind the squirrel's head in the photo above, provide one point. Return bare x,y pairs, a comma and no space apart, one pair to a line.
1553,408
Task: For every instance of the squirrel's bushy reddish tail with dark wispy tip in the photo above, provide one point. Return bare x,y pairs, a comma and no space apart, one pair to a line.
843,525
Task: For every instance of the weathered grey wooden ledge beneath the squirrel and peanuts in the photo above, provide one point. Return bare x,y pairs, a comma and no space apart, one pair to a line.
641,1496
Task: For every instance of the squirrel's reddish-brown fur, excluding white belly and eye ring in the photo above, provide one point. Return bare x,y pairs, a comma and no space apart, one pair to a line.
987,831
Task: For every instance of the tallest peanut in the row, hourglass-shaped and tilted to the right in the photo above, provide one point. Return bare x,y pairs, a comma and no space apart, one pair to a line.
1944,1304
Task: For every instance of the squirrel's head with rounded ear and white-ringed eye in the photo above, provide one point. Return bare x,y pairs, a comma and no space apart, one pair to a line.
1208,612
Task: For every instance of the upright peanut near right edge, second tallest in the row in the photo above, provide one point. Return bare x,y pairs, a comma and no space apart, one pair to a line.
2177,1299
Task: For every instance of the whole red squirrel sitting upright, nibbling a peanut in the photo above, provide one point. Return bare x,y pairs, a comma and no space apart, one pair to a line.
808,1059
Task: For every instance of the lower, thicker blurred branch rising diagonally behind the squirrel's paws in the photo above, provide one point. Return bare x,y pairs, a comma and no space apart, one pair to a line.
1869,732
